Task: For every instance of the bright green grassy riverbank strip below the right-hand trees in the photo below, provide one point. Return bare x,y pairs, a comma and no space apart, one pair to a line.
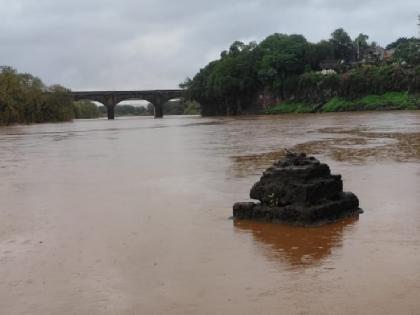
386,101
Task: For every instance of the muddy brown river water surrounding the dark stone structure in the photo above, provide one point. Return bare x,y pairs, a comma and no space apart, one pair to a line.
132,217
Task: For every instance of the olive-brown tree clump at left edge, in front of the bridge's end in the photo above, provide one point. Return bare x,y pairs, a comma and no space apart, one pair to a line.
25,99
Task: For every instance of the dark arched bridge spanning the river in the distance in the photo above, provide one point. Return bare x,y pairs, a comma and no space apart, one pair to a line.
110,99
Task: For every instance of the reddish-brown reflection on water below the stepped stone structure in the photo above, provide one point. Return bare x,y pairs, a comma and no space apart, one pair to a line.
297,246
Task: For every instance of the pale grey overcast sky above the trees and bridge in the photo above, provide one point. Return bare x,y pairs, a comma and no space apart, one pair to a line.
156,44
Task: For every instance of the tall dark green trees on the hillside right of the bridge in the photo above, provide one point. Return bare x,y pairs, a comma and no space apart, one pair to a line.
282,68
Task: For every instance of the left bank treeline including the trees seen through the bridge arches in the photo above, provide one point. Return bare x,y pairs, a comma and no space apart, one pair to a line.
25,99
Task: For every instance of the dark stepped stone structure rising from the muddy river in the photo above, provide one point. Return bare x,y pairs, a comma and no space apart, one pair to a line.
298,190
